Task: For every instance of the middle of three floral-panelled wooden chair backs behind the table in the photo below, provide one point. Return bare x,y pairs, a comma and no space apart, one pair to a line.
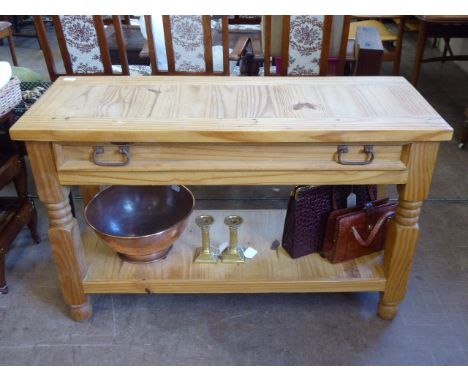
189,45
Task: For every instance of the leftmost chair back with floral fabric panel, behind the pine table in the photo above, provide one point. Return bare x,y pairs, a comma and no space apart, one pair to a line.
82,43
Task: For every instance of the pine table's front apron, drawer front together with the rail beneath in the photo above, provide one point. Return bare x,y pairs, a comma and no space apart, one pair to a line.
228,164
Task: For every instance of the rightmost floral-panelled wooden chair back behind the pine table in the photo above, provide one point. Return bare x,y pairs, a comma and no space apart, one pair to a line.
305,45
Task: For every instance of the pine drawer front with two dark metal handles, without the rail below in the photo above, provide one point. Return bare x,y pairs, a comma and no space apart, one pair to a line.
226,157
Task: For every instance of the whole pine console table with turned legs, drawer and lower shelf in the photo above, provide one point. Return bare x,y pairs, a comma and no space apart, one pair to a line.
231,131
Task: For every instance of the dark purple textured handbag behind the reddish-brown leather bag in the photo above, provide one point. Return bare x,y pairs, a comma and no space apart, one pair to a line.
308,211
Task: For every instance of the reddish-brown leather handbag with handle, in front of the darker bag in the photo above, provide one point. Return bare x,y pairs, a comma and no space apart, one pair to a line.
356,232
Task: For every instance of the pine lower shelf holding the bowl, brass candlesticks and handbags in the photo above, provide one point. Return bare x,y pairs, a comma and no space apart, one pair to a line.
271,271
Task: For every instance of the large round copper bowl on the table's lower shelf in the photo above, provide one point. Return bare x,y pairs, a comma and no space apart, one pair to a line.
140,222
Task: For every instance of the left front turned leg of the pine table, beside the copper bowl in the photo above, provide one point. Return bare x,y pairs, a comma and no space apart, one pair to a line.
64,233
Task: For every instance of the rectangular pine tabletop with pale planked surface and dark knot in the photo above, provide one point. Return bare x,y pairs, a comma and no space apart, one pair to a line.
231,109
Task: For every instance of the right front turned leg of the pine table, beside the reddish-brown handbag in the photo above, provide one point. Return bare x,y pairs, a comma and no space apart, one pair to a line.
403,230
